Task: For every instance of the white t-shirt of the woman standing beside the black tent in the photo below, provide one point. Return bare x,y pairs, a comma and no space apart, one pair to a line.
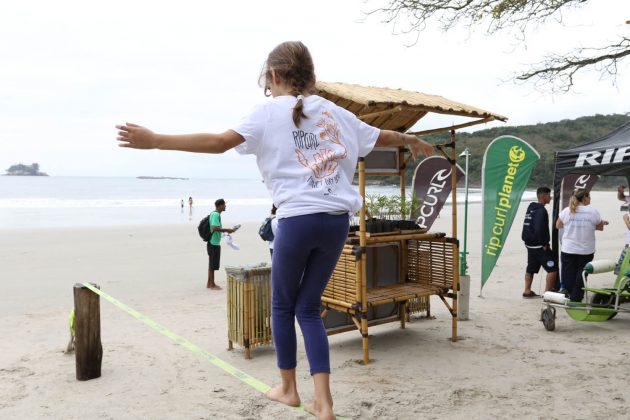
578,236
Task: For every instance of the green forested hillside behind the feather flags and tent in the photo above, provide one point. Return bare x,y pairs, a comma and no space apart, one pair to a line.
545,138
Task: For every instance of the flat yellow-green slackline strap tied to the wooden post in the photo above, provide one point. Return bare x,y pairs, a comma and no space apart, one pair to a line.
238,374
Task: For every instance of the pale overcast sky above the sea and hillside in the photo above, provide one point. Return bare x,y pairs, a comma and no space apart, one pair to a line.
71,70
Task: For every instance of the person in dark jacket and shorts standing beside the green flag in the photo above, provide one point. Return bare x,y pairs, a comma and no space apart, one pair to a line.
536,237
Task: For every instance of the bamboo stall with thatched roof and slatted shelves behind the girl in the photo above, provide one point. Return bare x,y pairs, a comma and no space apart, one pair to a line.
419,264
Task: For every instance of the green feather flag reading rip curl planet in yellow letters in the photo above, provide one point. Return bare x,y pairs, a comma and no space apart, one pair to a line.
507,165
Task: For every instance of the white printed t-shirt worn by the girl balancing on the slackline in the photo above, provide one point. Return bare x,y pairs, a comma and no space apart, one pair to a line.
308,169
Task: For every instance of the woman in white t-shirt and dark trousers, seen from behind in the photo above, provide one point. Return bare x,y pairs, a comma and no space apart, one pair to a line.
579,221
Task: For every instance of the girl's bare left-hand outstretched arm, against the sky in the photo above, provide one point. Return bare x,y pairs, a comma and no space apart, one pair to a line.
137,137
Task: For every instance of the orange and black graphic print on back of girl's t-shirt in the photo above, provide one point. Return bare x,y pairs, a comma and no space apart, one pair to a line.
321,153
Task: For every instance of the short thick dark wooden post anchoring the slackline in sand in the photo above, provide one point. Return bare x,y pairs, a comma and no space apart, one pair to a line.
87,333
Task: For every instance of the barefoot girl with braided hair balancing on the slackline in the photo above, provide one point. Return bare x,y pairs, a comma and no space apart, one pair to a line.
306,148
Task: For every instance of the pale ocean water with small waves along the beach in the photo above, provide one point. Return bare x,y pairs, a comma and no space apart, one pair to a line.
43,202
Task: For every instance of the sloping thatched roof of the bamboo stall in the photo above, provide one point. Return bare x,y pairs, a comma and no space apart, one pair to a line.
396,109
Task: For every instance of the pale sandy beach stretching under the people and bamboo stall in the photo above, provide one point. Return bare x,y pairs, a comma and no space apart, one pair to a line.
505,364
